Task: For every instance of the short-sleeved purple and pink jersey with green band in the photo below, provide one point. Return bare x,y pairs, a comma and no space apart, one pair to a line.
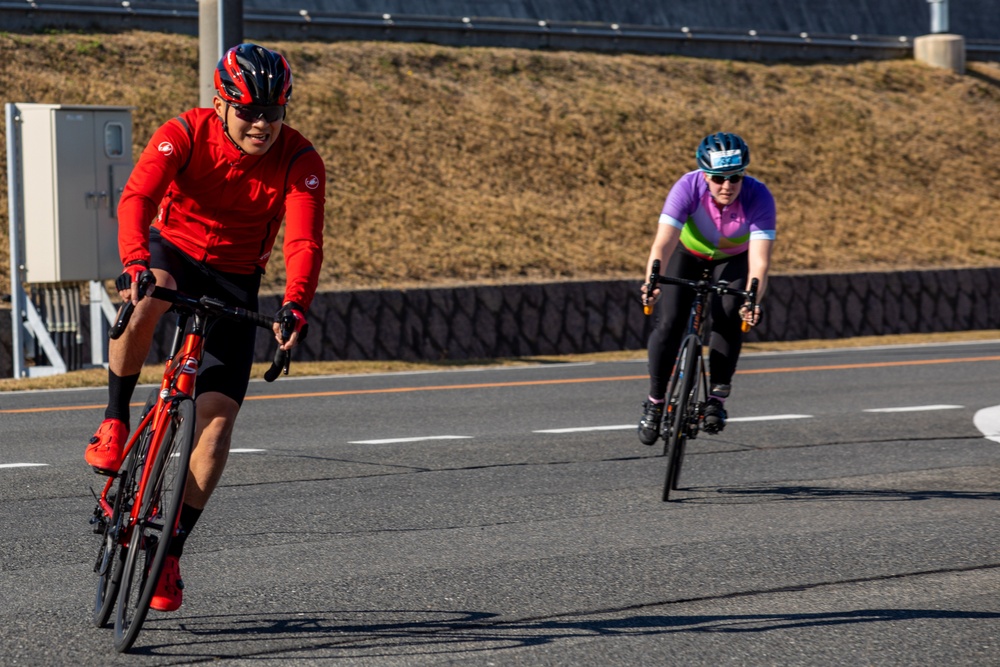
713,234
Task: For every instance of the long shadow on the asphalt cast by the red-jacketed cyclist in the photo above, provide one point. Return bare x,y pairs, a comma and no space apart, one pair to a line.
387,633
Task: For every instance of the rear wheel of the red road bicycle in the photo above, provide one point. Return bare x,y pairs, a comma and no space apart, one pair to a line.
111,556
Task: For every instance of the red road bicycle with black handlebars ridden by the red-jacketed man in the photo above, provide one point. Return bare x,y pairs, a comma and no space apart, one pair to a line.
138,510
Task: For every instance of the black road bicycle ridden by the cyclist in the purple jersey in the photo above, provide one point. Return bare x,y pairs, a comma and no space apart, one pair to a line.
687,390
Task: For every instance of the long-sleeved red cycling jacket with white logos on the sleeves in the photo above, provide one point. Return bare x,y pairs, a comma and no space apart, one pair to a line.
223,207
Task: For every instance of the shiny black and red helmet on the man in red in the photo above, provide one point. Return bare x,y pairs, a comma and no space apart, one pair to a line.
251,74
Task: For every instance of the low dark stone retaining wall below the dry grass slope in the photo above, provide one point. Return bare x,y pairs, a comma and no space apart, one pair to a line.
482,322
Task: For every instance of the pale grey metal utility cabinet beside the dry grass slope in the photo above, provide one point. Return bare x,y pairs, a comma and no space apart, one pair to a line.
75,162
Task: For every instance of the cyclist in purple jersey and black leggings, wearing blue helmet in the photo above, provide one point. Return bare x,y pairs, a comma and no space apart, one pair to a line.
714,218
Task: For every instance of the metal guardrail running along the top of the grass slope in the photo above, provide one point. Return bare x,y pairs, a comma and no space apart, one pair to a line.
297,23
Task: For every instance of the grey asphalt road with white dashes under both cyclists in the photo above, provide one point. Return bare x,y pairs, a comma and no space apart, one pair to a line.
847,515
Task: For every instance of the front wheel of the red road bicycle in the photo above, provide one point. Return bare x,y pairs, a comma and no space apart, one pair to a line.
158,515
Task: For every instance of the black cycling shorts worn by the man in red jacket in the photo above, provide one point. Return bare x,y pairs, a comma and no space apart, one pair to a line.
229,346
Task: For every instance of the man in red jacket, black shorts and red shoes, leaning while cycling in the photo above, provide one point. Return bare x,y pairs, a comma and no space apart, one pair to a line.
200,212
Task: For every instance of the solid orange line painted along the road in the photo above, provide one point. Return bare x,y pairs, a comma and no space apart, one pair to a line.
536,383
